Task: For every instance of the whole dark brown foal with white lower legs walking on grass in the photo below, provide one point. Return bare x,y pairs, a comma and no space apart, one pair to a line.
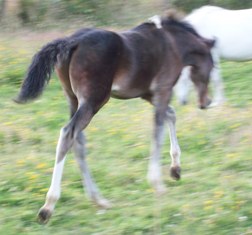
94,64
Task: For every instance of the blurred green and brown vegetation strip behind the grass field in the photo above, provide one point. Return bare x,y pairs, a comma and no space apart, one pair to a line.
50,13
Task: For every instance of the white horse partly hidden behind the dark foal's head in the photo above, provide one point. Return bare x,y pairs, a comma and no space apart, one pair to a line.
232,30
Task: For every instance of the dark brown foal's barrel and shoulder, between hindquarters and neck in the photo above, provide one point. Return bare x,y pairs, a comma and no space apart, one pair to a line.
146,52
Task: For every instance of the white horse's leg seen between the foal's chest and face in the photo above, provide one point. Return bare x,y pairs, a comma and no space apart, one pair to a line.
183,86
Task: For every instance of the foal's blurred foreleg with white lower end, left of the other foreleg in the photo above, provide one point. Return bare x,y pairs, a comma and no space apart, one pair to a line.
154,170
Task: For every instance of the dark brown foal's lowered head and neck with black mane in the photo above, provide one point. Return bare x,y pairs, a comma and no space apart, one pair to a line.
195,52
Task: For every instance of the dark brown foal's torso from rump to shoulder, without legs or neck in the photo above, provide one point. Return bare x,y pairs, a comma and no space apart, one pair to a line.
127,62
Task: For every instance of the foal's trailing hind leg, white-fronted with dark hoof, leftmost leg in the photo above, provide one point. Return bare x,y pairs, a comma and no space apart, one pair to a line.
67,135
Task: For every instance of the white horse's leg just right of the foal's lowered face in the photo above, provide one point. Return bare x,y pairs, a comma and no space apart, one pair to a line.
218,87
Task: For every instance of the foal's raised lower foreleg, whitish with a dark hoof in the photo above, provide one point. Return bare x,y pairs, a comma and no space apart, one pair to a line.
174,149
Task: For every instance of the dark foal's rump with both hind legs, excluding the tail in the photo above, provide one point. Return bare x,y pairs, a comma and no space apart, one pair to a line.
87,80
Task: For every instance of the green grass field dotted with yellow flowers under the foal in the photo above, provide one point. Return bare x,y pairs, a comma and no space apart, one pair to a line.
214,195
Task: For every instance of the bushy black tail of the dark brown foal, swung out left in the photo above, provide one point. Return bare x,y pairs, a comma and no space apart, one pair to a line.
40,70
